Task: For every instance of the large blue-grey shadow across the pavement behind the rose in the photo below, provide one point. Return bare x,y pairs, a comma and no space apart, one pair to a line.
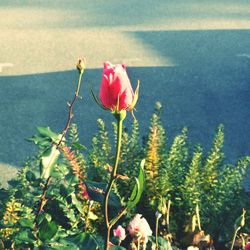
209,85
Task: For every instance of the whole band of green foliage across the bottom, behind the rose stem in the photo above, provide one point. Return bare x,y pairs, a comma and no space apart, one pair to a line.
68,214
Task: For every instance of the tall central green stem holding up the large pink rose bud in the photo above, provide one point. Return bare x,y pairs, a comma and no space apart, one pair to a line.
120,119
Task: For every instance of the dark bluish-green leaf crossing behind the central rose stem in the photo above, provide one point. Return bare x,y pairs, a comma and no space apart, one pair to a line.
96,191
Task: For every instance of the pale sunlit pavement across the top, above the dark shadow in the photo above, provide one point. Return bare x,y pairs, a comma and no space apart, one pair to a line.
46,36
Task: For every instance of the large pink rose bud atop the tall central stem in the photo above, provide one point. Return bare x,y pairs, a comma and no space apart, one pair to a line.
116,92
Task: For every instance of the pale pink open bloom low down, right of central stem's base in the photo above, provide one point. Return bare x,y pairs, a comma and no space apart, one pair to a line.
139,226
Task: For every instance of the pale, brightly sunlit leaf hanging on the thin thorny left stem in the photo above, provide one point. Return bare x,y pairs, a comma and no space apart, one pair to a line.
48,161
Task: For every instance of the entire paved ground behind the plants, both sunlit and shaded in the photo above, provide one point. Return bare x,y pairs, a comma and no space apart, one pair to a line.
194,57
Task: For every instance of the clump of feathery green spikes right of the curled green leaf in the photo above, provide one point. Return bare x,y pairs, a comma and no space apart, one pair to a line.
189,179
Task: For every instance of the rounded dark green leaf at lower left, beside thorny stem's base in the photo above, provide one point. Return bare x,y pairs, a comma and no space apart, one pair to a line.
47,230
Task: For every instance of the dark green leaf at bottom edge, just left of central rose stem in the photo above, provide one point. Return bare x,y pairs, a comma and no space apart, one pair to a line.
84,241
